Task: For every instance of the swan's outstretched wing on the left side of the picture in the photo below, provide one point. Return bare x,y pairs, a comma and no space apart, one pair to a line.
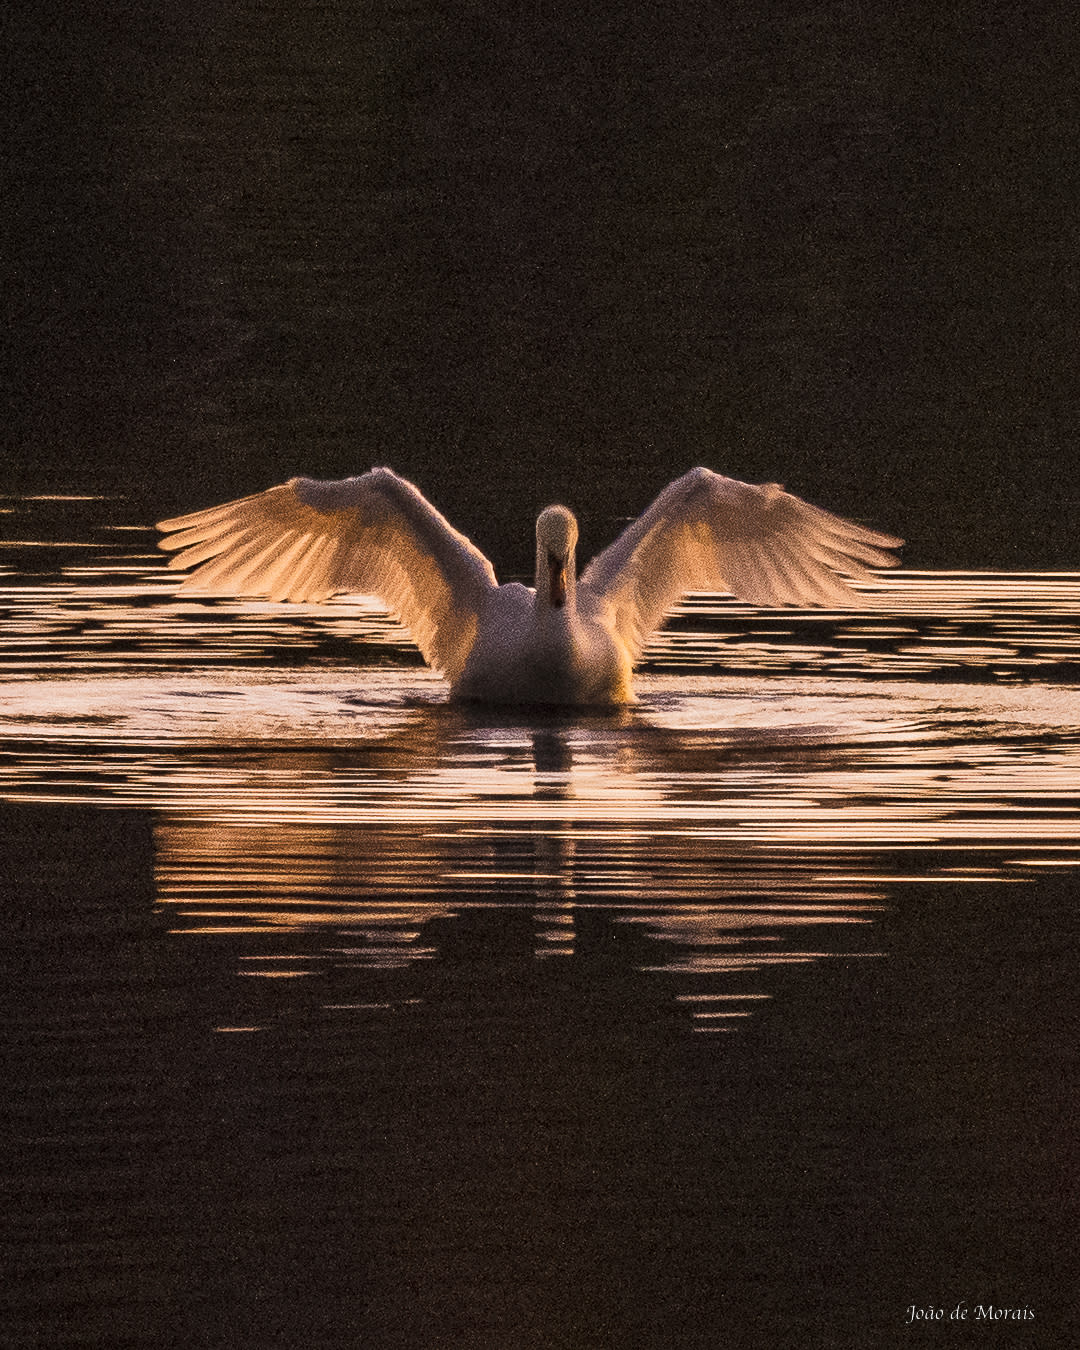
375,535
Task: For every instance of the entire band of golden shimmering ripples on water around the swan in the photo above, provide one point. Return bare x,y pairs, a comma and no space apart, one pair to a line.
736,821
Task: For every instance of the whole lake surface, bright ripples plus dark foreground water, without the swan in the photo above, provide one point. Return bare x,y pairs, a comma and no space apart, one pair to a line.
341,1016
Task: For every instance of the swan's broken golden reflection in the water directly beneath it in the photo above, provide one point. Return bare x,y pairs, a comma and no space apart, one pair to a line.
578,826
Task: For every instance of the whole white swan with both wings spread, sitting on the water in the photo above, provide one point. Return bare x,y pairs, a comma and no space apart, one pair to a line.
572,641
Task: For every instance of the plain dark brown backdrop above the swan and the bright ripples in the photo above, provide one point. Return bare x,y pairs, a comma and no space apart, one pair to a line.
535,252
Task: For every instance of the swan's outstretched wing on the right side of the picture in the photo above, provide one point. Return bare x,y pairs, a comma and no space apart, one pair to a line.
707,533
